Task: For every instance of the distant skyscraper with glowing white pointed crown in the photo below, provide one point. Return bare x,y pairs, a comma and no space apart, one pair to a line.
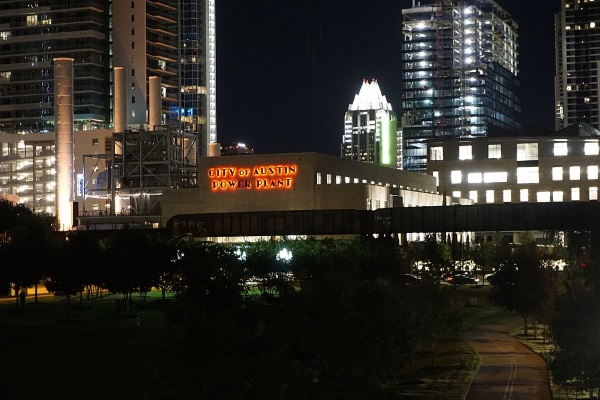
370,129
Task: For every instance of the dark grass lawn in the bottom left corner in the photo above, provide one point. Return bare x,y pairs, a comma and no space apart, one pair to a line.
86,352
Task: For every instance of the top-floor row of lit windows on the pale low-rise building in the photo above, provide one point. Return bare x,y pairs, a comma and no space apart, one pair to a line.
525,151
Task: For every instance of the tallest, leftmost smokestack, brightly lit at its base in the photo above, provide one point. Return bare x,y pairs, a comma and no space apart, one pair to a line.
64,141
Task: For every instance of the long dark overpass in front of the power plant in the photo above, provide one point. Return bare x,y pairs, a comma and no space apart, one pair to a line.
557,216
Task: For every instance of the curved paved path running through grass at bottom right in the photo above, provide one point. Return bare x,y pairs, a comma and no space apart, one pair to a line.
509,370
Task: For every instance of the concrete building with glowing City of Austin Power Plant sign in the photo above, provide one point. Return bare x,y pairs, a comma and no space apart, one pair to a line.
298,181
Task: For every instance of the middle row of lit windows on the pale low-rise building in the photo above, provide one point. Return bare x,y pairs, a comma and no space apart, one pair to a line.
524,175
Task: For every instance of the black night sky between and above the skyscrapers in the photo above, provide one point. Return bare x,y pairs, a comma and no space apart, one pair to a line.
287,70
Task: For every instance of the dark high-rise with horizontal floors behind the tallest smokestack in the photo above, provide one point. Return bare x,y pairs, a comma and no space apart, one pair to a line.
32,35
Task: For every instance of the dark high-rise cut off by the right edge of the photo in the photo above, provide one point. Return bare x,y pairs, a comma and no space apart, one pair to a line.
577,40
